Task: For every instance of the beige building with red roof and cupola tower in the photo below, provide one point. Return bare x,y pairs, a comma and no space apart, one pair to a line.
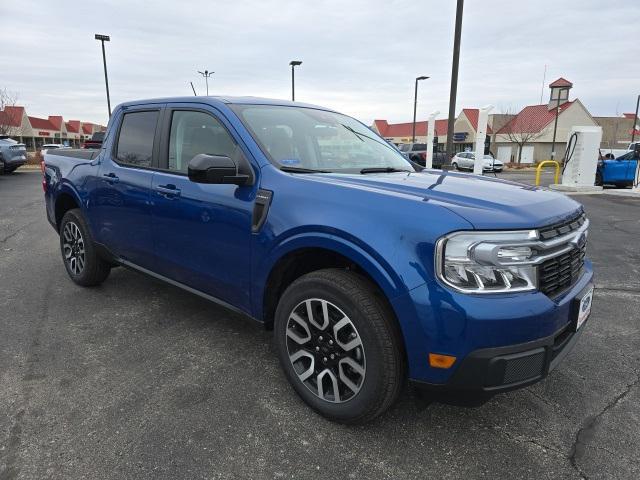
527,137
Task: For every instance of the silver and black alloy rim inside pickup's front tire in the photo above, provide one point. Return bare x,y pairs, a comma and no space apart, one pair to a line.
325,350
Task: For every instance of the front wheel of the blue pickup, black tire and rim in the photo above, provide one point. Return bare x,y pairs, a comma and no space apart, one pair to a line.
359,330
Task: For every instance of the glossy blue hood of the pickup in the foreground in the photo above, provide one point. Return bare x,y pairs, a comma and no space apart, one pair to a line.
485,202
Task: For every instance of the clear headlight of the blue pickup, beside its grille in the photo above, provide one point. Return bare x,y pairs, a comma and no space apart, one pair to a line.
487,262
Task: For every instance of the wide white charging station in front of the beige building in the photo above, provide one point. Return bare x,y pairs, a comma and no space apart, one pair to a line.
580,160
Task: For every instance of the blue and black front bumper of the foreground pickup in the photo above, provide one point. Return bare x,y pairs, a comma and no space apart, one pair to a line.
490,336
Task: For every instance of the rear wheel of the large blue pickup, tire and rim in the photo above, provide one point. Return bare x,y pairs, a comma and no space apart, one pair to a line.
81,260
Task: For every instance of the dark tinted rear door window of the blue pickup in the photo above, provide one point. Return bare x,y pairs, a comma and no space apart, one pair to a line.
135,142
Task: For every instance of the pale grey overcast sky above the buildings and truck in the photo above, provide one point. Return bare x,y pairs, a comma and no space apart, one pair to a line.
359,57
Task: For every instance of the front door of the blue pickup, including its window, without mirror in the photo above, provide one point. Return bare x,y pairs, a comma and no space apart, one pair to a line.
202,232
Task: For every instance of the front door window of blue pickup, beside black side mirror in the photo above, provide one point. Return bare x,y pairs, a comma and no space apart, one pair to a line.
193,133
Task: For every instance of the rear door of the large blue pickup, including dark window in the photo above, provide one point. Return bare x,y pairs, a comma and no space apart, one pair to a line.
120,210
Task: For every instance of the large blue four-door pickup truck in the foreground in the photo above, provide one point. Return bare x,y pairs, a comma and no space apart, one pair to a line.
370,270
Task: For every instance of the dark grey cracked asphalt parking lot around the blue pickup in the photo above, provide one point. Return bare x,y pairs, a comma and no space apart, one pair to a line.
137,379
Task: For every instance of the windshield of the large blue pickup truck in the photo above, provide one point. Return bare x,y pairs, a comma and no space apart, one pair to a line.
306,138
